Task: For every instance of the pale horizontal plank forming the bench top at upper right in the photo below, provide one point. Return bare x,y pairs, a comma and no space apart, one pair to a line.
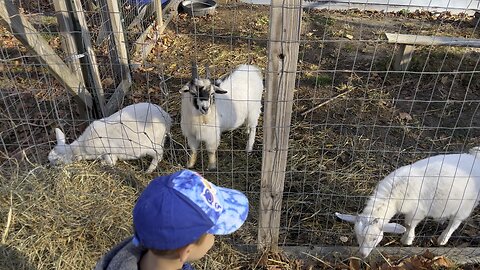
431,40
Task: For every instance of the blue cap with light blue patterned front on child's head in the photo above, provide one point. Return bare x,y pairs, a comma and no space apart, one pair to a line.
175,210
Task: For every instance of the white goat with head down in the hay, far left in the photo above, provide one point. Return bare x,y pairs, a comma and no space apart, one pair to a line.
135,131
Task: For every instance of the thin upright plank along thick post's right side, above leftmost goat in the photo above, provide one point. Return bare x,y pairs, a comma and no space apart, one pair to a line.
91,58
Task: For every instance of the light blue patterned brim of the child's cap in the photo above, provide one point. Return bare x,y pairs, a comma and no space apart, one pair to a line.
234,213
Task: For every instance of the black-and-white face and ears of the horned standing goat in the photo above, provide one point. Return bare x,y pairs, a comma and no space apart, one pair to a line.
203,93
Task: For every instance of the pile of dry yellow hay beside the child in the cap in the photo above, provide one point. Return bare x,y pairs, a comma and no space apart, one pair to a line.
67,217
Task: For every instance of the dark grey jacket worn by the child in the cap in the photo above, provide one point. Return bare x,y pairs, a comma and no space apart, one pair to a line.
125,256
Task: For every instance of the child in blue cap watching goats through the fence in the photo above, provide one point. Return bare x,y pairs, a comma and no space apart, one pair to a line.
175,220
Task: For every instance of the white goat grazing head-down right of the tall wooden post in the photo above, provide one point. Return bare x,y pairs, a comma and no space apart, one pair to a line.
440,187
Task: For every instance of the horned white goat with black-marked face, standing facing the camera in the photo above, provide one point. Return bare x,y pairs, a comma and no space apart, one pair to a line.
210,108
